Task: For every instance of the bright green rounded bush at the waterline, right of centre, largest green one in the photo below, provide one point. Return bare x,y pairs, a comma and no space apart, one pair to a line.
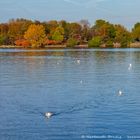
95,42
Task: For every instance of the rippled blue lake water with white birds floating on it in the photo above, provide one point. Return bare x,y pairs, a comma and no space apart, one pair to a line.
84,96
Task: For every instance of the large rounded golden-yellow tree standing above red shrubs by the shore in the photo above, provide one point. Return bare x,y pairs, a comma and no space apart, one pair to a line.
35,35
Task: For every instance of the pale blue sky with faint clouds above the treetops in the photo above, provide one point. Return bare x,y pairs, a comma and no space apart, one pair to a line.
125,12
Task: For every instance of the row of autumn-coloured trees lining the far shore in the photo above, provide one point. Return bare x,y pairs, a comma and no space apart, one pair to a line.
24,33
